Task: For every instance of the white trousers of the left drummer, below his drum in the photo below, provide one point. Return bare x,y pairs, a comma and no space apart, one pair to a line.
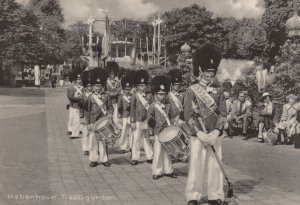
97,145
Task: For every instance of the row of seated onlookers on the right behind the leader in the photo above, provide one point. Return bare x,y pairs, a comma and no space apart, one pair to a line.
275,130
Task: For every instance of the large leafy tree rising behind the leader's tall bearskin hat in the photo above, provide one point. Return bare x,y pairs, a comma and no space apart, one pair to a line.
193,25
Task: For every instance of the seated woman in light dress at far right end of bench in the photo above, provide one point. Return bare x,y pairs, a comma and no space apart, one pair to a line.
288,120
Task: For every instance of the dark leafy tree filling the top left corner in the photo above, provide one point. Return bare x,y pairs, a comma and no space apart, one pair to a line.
18,38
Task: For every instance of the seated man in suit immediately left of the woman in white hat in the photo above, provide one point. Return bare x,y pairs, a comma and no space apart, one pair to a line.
241,113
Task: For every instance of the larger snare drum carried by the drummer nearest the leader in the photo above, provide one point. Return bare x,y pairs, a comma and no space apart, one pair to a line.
175,141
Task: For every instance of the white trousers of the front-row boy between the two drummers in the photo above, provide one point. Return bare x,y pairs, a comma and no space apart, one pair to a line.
136,148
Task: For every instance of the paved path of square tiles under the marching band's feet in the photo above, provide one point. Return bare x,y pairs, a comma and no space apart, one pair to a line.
70,180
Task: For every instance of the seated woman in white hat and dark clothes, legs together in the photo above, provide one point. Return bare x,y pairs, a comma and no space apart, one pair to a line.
266,115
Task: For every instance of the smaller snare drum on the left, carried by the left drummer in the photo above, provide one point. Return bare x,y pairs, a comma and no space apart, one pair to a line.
106,130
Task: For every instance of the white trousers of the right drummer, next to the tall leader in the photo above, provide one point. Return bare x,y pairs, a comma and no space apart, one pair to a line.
161,161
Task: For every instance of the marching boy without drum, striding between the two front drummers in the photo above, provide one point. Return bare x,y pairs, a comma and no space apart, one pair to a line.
138,114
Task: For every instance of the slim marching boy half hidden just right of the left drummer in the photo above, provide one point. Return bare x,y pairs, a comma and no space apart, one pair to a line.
124,111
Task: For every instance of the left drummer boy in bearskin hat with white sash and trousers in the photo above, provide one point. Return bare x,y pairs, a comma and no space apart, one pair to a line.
99,106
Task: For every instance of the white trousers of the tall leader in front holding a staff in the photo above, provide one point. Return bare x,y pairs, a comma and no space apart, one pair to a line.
198,157
